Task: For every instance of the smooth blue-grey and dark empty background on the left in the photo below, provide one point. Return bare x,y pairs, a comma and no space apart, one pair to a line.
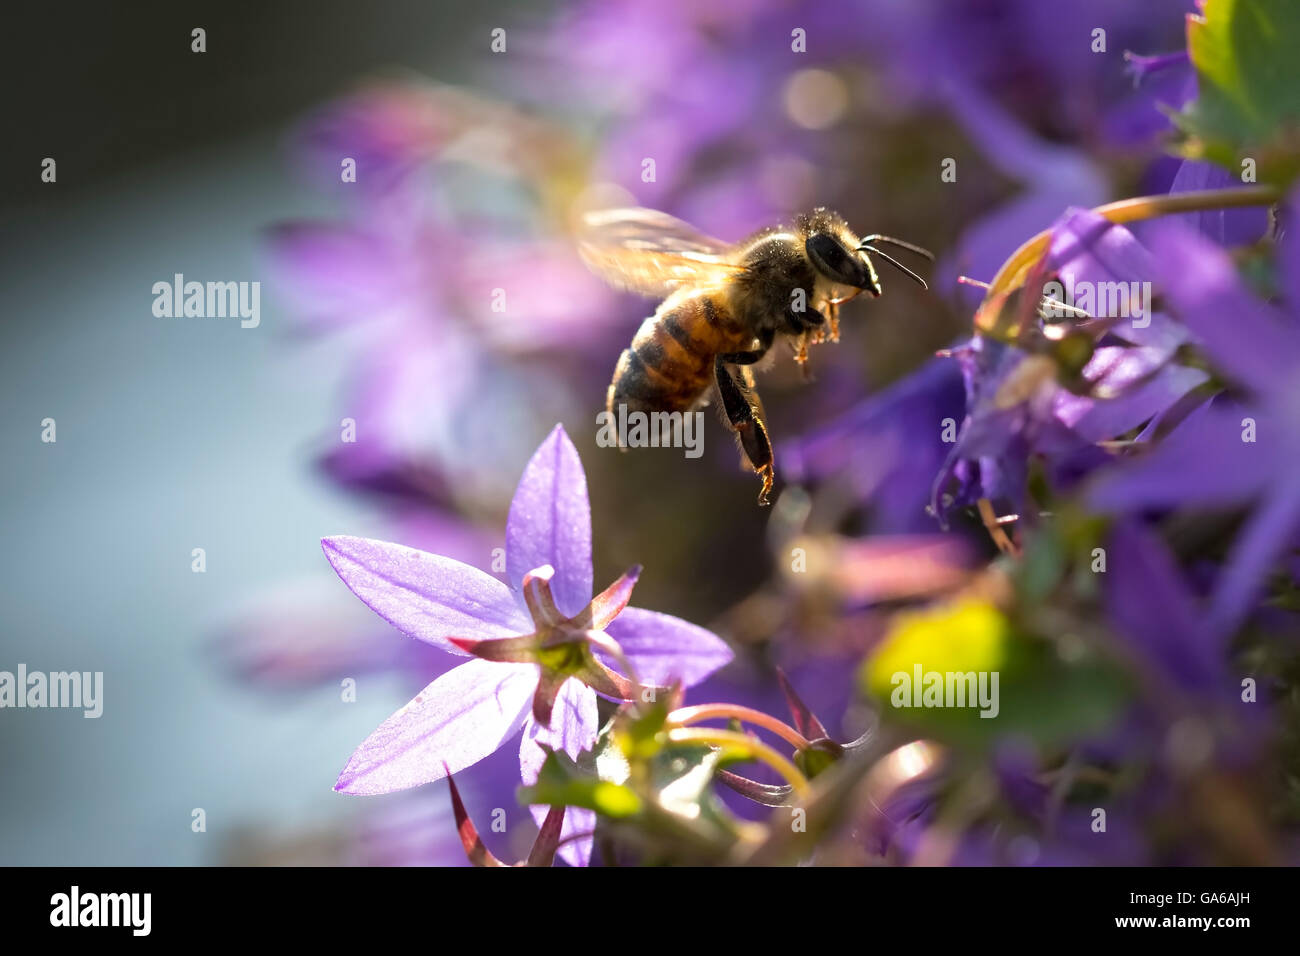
171,434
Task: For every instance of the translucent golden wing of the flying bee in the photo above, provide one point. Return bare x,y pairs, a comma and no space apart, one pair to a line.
652,253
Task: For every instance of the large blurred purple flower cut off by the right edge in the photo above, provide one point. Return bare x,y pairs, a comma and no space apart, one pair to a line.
1229,453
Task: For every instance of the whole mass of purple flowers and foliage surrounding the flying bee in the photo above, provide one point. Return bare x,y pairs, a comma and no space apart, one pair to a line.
1091,499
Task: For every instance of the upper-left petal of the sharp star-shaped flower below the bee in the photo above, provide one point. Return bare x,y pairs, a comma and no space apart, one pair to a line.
426,596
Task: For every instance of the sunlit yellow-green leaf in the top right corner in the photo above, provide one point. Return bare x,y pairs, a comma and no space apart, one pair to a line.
1249,105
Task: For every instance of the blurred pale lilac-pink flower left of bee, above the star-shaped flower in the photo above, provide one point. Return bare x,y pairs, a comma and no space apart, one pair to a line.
409,296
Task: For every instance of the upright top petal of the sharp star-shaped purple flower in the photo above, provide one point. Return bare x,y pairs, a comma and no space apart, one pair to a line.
551,524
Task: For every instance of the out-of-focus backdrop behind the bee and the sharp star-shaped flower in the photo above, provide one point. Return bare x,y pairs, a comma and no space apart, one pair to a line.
223,690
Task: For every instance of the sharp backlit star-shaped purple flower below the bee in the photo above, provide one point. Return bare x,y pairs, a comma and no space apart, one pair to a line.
540,646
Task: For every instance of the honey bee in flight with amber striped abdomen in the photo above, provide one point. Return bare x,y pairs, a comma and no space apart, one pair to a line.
725,305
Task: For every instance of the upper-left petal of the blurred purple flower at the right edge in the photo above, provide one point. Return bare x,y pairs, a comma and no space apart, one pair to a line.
1243,336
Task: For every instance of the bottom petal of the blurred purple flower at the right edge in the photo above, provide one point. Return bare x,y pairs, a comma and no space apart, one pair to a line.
1271,530
